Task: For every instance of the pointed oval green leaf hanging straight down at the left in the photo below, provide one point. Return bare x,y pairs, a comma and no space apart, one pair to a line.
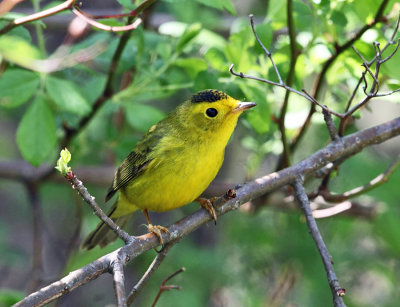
36,134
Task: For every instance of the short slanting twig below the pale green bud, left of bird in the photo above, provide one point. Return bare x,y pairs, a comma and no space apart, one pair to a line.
89,199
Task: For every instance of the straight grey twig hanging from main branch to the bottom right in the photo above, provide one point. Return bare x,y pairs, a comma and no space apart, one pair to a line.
336,289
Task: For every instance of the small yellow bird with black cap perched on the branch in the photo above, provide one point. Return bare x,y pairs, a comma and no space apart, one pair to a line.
173,163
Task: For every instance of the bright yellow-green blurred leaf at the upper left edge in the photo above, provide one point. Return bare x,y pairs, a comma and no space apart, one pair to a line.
17,50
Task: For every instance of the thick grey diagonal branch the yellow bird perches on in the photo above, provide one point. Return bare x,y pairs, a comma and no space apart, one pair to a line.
350,145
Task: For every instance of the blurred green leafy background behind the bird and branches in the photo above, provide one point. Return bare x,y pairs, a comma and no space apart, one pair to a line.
52,94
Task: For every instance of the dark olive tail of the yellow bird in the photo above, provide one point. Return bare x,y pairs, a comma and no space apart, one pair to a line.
103,234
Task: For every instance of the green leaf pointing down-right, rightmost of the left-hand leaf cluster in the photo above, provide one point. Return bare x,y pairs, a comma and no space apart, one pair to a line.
66,95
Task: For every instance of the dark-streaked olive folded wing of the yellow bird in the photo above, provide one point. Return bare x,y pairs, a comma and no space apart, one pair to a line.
135,163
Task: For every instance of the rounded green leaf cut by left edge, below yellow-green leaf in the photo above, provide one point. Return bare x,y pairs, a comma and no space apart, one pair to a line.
17,86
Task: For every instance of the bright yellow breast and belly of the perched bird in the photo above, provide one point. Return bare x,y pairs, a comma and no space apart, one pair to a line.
177,175
